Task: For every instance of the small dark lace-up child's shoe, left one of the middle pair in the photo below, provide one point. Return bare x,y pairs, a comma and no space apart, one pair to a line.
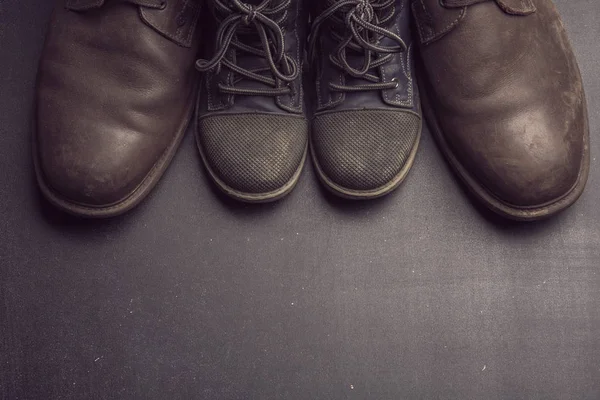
252,131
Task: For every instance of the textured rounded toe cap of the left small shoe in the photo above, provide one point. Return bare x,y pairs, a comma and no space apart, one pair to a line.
253,154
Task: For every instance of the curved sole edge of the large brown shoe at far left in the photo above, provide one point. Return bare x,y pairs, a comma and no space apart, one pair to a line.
129,202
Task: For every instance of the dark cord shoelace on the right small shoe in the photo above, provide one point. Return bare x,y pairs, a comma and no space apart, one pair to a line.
365,20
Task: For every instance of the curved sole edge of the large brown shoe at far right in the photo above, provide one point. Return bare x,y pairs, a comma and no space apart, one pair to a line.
490,200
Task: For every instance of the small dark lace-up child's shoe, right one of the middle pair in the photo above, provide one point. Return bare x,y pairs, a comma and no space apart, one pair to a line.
367,122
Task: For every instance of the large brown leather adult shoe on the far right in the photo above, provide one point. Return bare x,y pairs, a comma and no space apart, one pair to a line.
503,95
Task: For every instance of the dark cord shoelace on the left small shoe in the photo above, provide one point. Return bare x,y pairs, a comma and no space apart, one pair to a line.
243,20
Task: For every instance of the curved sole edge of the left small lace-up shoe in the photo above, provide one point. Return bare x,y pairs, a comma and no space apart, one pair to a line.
250,197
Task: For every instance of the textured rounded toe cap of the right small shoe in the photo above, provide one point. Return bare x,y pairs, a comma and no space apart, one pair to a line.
364,150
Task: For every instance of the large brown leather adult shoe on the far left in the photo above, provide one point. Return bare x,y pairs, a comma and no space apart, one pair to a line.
116,89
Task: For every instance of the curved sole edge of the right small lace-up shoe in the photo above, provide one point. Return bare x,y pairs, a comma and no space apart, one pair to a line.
351,194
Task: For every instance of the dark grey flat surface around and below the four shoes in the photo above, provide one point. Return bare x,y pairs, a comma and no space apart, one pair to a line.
418,295
